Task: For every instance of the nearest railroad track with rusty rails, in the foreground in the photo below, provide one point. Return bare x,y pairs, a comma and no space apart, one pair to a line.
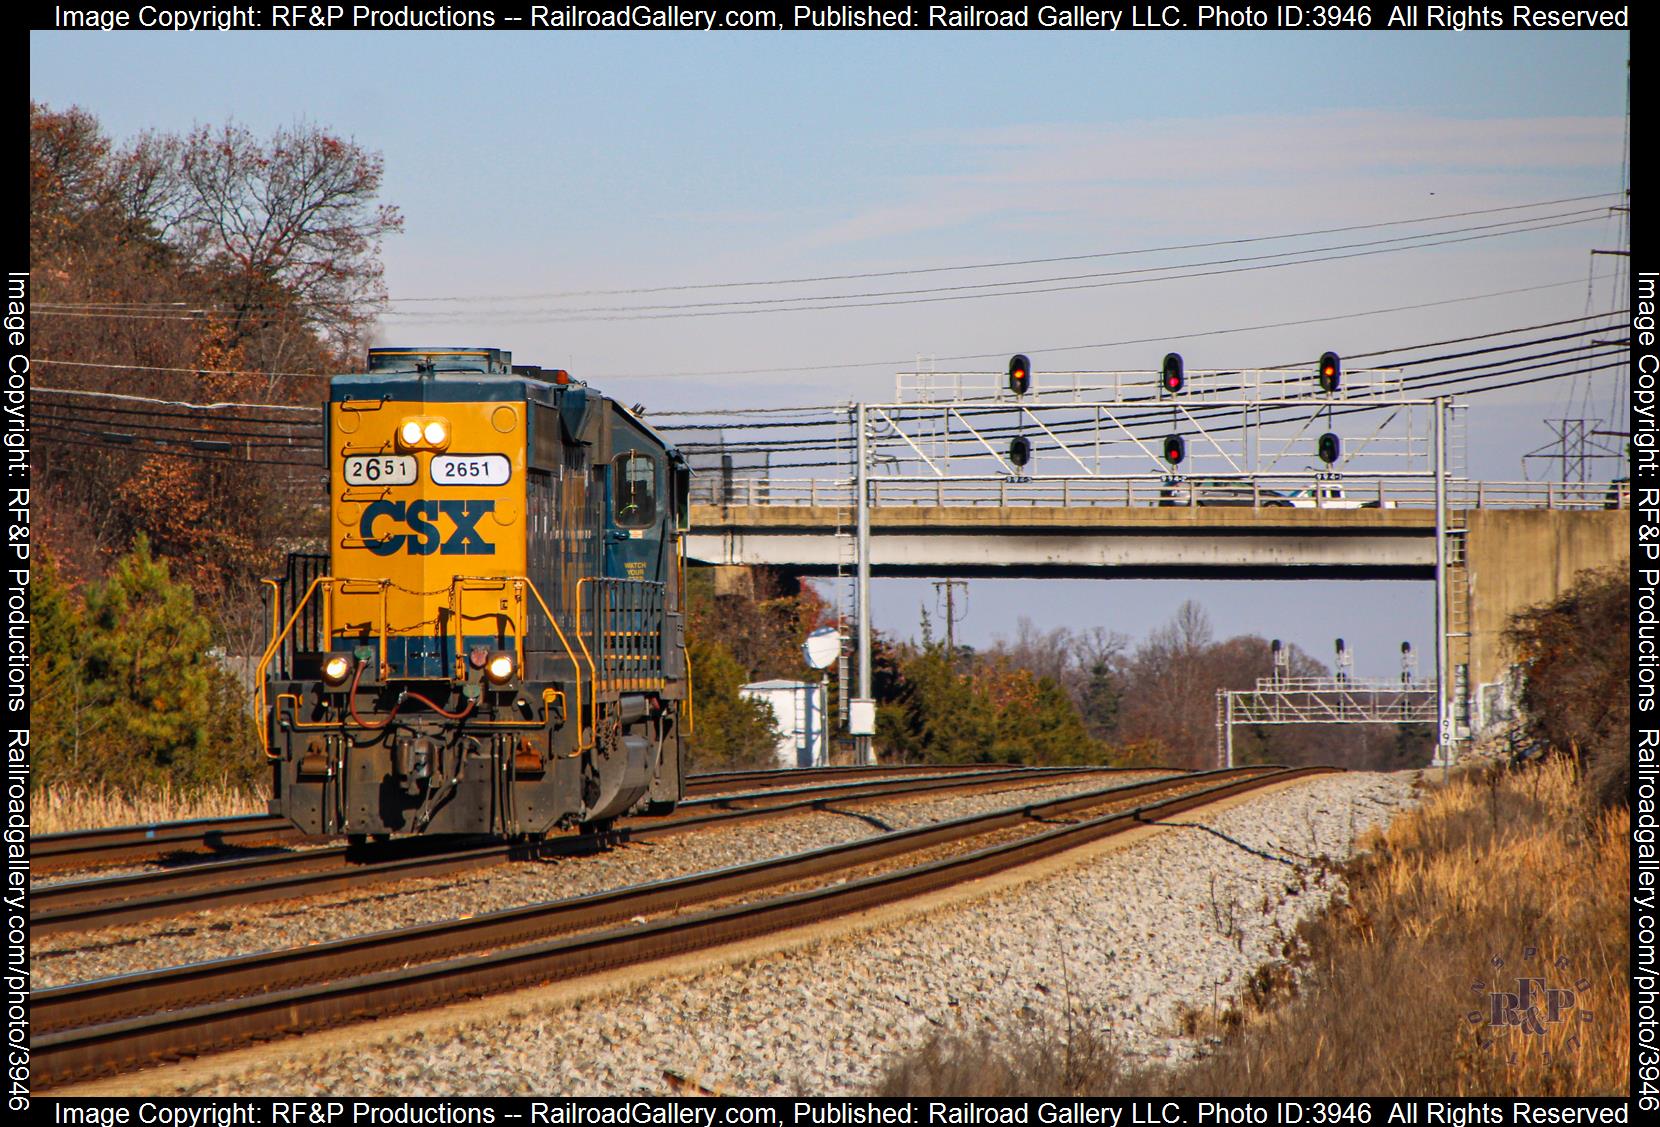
125,1023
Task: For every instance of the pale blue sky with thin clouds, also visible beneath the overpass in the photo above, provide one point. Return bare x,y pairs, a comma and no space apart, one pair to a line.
534,163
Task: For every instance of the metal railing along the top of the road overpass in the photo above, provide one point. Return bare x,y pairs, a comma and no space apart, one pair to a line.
1143,492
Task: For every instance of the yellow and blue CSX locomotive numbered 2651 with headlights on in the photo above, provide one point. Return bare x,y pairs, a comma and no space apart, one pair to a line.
496,638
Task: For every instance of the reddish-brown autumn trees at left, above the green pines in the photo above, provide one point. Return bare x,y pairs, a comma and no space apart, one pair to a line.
205,268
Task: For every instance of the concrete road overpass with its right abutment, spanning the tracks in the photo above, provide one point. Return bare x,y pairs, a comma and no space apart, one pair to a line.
1508,545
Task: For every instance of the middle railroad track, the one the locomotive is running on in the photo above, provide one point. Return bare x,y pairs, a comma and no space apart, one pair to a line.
105,902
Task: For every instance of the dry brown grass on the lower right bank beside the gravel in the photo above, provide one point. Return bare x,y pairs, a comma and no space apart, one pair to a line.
1520,867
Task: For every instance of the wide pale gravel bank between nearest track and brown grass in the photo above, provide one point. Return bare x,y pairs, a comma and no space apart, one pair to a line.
1130,942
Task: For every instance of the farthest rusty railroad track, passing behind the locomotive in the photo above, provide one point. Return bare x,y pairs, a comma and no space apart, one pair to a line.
117,846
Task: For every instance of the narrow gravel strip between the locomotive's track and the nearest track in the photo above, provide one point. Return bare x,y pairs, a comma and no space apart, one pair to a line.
243,930
